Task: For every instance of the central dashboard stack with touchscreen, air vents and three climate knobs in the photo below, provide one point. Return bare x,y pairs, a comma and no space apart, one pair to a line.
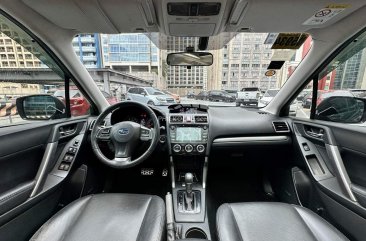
188,127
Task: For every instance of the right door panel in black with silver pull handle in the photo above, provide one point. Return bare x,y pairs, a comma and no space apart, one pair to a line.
335,155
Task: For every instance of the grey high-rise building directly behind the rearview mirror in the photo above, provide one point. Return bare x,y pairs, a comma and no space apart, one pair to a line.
180,79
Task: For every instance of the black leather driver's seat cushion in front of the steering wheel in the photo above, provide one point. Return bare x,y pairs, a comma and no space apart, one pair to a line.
107,217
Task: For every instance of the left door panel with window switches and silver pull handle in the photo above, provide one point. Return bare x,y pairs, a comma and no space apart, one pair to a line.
30,169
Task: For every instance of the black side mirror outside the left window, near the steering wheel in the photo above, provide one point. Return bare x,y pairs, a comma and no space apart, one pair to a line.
40,107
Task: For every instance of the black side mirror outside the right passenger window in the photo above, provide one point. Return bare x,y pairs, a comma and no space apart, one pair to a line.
343,109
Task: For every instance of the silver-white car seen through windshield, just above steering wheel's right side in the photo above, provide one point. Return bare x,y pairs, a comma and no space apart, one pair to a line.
149,96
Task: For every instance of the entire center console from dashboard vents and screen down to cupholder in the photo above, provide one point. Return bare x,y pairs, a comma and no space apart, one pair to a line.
188,135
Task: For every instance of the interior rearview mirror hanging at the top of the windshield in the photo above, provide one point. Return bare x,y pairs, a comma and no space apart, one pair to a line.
190,59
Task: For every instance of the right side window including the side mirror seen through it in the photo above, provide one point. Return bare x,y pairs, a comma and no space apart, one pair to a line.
341,87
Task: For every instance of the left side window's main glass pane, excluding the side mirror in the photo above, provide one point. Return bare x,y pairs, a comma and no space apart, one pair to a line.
26,69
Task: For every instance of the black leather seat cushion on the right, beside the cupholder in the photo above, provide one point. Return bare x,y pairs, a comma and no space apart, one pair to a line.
272,222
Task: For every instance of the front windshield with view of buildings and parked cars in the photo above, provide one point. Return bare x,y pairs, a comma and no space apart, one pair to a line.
246,66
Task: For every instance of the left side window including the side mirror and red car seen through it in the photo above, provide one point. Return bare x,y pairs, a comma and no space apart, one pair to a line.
26,69
